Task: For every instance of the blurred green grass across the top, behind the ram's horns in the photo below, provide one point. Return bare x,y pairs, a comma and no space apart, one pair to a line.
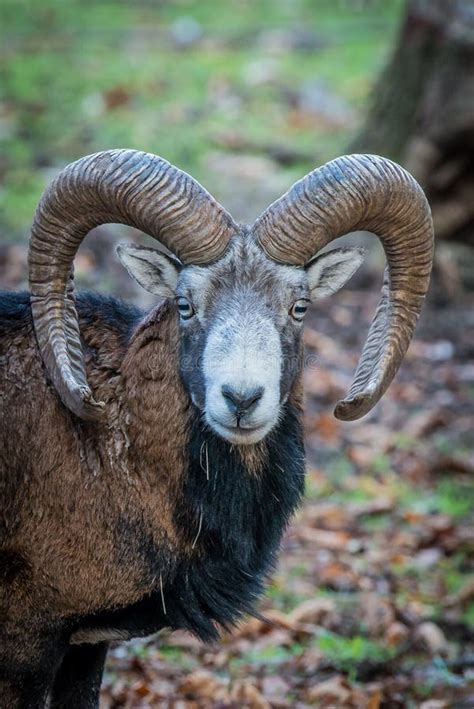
171,77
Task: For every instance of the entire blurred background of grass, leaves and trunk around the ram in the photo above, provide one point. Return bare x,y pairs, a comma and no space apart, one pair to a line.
372,604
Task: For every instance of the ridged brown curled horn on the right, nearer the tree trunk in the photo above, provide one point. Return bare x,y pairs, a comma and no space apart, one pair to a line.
361,192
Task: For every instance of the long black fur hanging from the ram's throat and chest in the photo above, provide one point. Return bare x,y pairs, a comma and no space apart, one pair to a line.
236,520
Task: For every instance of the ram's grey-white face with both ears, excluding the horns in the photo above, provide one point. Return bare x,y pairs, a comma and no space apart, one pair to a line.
241,323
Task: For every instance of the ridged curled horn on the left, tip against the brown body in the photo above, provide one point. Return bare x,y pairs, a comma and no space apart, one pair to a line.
122,186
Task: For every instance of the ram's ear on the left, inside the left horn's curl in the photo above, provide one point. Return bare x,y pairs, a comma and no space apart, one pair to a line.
153,270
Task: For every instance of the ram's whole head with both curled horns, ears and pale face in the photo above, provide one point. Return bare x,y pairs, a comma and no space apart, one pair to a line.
241,292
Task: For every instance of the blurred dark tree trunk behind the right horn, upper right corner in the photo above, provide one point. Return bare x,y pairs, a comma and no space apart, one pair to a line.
422,112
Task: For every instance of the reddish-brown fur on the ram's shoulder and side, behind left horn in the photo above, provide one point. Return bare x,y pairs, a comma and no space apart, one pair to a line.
59,515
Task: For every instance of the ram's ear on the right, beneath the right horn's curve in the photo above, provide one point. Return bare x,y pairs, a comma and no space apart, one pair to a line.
328,272
